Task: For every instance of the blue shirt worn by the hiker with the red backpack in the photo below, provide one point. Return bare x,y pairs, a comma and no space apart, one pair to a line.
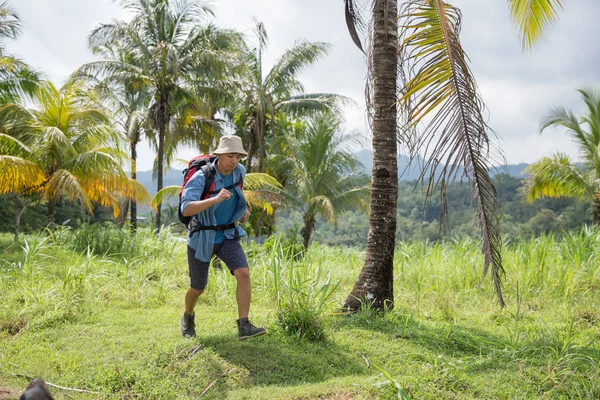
203,241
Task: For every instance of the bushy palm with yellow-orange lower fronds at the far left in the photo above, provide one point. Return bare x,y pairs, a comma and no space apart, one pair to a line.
69,152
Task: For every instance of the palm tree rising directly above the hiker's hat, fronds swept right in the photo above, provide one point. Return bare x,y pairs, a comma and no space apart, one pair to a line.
265,94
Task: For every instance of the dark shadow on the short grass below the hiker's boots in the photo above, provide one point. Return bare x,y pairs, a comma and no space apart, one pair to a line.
276,360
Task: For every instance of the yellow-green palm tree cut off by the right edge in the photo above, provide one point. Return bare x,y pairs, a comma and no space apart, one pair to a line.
558,176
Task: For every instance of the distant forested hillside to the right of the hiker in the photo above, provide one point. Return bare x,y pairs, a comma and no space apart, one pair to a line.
419,220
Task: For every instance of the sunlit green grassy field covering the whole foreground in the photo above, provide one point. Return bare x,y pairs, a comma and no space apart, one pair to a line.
105,319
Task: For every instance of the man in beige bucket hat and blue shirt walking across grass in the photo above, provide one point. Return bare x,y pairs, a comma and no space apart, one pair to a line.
212,232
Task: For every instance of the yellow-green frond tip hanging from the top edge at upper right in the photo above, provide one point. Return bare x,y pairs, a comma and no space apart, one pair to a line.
533,18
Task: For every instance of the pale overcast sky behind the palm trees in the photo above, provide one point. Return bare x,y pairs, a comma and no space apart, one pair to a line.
518,88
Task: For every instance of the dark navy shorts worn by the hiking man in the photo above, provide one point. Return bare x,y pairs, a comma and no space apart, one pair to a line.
230,252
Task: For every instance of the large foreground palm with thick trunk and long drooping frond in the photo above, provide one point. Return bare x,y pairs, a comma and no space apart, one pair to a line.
437,84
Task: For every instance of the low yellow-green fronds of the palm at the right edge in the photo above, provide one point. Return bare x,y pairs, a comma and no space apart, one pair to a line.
556,176
